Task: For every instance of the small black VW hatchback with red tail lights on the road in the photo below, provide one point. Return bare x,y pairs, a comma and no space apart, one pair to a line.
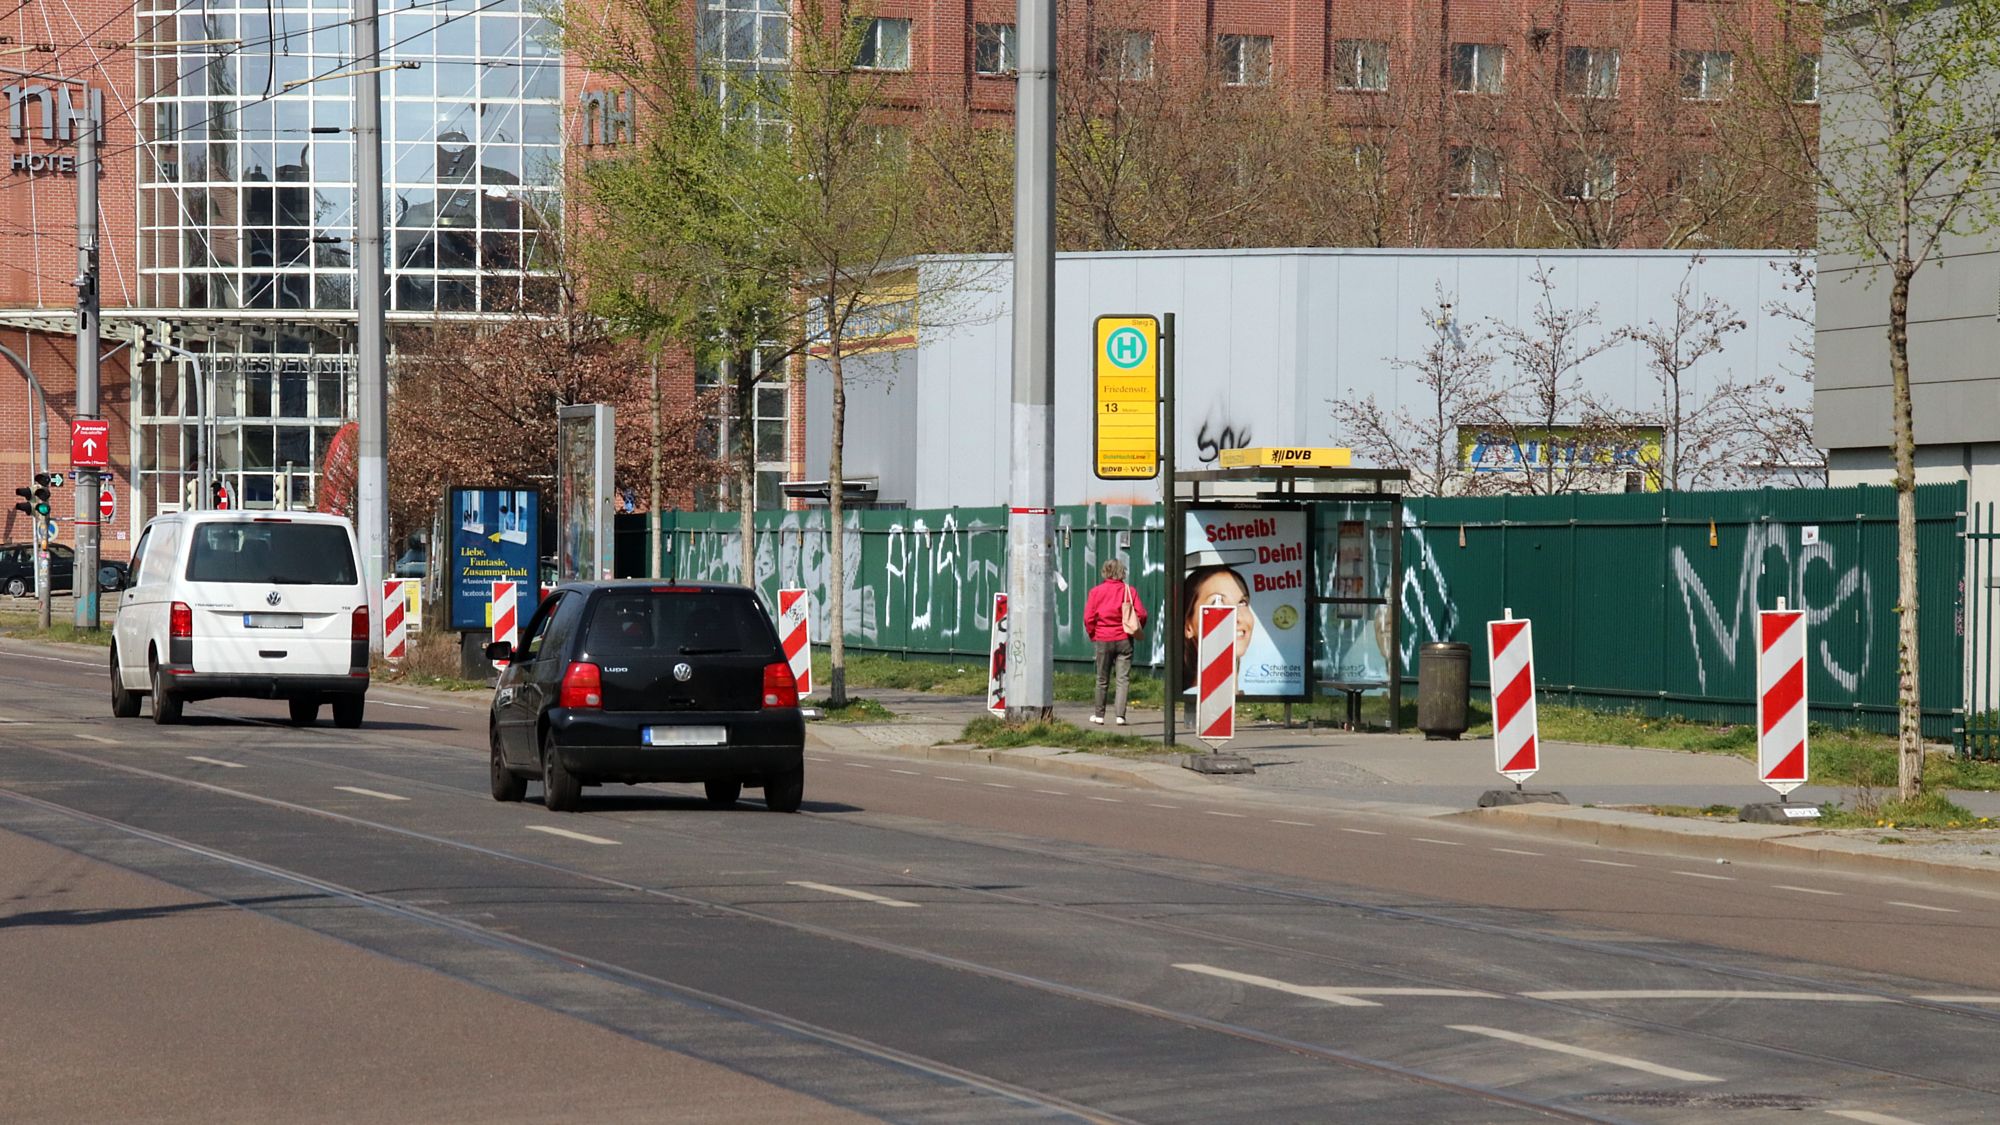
649,682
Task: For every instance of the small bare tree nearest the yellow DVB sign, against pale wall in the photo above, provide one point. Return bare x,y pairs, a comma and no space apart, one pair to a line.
1451,385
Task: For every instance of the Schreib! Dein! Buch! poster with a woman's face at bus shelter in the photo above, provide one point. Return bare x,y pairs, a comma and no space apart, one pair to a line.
1257,561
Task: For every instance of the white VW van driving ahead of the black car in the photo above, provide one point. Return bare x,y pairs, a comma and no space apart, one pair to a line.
261,606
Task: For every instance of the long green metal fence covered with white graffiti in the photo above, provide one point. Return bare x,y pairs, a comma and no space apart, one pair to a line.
1641,602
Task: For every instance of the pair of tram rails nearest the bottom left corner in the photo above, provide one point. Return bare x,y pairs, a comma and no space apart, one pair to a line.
685,994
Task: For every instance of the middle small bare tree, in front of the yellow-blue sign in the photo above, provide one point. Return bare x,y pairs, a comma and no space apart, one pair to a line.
1559,435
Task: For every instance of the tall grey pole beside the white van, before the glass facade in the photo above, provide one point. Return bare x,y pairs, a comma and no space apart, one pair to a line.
371,475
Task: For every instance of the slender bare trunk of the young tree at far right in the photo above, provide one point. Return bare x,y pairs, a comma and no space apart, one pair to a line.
1903,447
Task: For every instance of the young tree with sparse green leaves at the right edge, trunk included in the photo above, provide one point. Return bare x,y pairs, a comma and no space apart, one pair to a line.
1905,157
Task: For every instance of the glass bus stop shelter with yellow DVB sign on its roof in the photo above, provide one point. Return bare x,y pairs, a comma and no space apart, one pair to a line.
1315,553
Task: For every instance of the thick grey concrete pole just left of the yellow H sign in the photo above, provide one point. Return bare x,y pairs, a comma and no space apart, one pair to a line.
1031,525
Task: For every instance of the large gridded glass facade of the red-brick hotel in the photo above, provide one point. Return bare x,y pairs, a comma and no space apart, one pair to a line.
247,211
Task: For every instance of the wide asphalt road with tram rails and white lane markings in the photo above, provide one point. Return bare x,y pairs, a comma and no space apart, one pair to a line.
241,920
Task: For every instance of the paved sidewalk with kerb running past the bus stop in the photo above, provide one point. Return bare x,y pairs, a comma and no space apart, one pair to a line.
1405,776
